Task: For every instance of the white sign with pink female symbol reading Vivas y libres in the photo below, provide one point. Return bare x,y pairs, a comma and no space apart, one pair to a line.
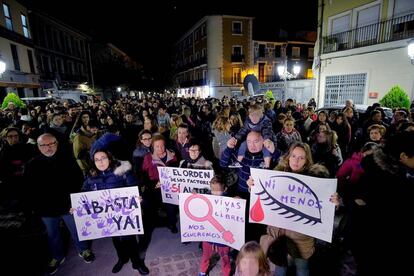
211,218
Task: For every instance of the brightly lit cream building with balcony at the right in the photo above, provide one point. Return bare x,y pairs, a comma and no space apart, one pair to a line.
362,50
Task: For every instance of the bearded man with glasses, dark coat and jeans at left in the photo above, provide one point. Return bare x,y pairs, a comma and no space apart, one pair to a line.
57,175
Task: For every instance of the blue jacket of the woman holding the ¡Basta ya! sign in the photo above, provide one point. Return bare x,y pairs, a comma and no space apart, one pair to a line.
122,176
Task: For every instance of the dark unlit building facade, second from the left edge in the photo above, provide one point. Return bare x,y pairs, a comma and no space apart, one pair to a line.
62,52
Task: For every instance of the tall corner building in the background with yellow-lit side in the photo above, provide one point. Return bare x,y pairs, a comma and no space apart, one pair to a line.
212,58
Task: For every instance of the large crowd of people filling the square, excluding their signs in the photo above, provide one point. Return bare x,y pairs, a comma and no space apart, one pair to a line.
48,152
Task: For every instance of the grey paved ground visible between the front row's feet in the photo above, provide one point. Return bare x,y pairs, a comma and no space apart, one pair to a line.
168,256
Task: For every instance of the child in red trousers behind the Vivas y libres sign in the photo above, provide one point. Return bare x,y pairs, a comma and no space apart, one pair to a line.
217,188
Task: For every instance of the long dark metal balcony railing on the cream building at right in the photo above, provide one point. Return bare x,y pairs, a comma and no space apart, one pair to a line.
385,31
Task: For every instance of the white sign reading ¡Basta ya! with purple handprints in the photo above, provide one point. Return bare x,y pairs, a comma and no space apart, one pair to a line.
107,213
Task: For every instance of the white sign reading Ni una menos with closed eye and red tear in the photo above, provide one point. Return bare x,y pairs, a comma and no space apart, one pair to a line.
293,201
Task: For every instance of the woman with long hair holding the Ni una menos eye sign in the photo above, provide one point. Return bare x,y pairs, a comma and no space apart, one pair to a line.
299,247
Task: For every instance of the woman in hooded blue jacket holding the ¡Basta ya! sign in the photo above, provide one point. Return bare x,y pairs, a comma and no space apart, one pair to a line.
107,173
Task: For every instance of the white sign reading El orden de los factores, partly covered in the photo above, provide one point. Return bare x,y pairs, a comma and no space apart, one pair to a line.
178,180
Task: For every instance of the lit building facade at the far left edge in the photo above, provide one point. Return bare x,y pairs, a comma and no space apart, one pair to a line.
17,51
